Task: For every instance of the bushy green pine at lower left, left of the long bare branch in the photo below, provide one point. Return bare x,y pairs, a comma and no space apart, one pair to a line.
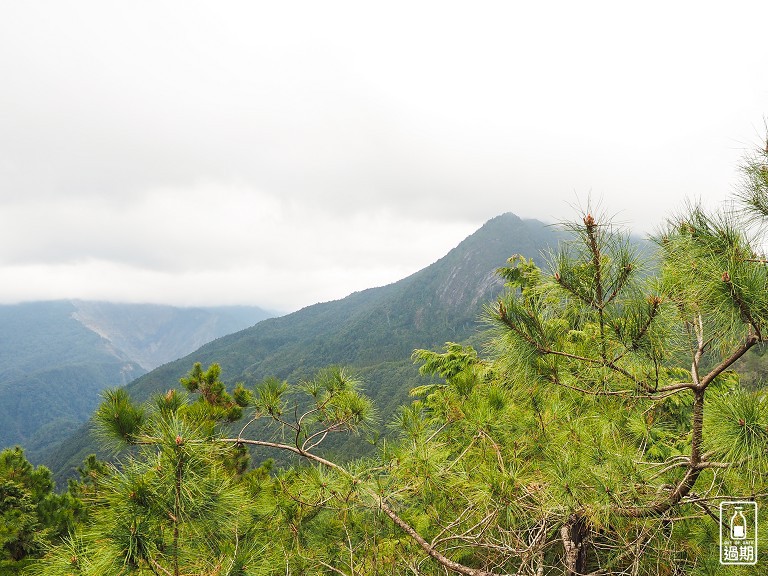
173,505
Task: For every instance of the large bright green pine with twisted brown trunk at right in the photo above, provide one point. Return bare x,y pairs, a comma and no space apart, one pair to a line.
604,406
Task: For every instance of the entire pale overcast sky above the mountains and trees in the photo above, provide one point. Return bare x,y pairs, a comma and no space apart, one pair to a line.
286,153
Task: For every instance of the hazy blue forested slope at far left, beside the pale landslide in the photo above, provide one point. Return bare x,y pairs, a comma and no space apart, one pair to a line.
51,371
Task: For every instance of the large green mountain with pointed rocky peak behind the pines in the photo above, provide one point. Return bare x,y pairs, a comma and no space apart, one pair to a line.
374,331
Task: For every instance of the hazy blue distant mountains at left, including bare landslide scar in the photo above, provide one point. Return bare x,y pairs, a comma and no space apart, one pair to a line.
55,357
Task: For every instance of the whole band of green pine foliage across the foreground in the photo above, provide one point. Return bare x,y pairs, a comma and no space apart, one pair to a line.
595,430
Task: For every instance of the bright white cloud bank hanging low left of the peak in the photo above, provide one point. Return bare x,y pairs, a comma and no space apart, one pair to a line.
210,244
